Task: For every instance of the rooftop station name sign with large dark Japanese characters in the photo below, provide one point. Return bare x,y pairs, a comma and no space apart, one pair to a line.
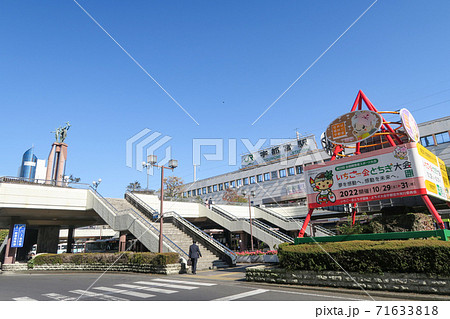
279,152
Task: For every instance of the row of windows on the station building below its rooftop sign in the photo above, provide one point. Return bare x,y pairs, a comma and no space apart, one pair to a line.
291,171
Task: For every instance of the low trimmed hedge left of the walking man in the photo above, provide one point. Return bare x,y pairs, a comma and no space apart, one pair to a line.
107,258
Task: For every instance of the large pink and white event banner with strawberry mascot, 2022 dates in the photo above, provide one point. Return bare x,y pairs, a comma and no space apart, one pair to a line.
405,170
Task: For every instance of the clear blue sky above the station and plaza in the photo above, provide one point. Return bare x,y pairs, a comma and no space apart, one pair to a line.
225,62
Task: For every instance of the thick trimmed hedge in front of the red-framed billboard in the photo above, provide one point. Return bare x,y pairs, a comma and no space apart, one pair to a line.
397,256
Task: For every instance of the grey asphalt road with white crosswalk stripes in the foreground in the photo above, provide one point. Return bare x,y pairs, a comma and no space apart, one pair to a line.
212,285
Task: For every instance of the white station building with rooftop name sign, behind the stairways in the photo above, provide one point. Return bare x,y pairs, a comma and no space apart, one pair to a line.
274,175
